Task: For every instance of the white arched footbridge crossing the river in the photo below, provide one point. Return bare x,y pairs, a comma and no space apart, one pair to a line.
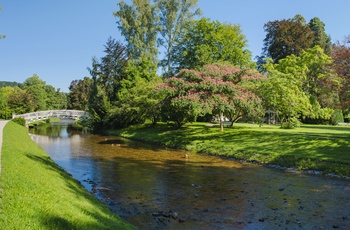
43,115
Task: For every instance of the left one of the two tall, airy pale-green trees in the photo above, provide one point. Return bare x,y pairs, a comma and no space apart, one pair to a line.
138,24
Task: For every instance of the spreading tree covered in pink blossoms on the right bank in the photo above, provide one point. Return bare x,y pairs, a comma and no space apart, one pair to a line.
219,89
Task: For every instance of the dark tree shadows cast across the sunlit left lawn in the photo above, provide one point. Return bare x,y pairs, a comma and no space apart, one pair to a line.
101,219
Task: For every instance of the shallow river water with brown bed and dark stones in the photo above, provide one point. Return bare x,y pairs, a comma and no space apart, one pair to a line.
157,188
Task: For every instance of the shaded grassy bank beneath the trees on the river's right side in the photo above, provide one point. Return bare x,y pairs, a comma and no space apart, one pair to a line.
324,148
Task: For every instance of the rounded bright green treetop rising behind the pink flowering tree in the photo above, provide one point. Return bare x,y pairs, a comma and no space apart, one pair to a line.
206,42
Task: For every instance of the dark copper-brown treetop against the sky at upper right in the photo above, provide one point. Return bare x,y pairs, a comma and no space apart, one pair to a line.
286,37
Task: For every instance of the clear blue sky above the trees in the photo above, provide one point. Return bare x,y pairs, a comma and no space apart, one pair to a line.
57,39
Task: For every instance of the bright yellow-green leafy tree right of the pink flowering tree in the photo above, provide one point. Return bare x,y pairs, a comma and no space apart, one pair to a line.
303,86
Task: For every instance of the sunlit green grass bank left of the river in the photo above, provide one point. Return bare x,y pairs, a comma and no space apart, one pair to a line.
37,194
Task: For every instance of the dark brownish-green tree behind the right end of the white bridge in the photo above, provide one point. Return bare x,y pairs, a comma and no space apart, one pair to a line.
78,95
